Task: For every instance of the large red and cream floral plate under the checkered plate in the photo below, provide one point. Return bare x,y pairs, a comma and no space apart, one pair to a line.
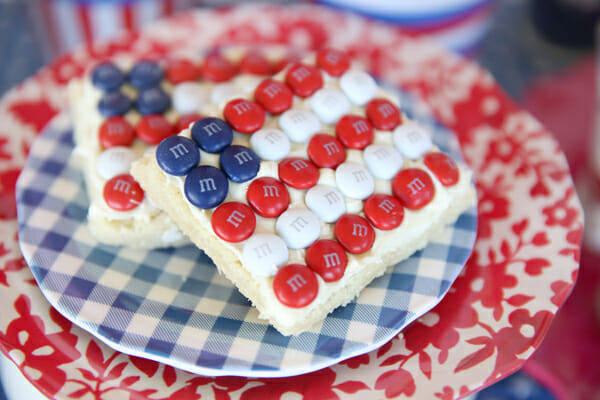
523,266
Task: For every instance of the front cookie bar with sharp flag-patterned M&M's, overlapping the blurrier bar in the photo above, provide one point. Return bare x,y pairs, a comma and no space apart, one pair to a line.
305,190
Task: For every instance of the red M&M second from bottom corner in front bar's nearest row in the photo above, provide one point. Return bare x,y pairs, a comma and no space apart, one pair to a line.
328,259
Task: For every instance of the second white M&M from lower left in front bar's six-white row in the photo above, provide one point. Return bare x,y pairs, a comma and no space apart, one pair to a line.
299,227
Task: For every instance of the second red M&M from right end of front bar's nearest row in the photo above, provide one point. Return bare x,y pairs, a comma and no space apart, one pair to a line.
413,187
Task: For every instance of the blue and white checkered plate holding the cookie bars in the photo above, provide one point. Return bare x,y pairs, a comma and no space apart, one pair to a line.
173,306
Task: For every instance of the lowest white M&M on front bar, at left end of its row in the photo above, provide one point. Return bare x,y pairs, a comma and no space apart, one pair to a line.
264,253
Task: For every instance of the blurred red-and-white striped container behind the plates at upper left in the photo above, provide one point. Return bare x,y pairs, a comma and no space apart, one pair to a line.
60,25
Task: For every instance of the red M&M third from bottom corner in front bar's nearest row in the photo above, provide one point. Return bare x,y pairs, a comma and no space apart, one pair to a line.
354,233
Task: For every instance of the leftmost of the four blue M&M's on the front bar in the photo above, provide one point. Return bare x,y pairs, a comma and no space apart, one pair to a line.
176,155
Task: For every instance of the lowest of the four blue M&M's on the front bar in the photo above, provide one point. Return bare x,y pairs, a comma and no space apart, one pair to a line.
206,186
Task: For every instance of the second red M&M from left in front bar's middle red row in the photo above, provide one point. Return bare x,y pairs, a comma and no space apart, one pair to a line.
268,197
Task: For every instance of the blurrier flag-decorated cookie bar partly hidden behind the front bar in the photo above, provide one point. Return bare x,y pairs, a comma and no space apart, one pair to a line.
122,107
